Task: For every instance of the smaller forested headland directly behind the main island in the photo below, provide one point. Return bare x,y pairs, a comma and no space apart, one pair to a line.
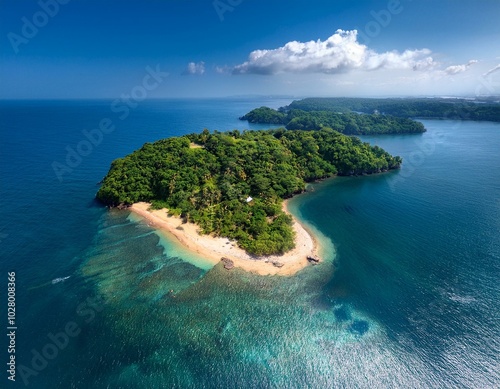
349,123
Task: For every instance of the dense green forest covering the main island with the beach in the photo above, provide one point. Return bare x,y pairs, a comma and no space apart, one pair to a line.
206,178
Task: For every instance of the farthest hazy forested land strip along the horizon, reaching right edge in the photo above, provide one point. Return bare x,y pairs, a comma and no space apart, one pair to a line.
460,109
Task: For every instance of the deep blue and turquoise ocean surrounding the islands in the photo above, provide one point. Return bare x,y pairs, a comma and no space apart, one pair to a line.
408,296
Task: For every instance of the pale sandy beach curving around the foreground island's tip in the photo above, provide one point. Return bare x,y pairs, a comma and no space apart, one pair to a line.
214,248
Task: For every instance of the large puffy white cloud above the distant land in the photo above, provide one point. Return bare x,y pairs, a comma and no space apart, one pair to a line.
340,53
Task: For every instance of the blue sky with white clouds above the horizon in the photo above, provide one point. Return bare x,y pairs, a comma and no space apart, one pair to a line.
70,49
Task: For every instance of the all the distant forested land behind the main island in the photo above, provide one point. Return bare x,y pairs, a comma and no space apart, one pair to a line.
370,116
